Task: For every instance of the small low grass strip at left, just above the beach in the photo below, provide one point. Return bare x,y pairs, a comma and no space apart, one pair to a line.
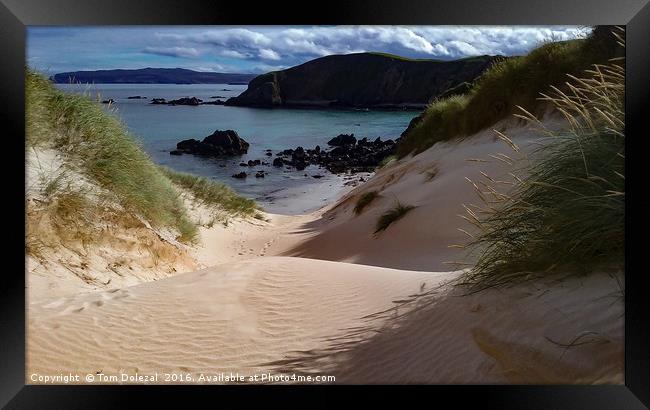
212,193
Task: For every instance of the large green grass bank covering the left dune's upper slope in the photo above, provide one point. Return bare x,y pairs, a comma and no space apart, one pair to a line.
80,129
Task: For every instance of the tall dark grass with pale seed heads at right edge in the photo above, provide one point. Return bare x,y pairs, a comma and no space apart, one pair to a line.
568,215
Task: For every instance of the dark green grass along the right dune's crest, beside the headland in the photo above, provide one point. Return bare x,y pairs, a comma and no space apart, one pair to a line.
516,81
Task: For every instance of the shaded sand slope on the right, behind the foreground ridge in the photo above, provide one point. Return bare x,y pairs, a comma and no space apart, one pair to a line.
420,241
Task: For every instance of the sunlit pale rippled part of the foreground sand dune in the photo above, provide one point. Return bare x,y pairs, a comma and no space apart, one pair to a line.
234,317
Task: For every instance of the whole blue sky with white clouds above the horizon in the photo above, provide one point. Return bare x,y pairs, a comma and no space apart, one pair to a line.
257,49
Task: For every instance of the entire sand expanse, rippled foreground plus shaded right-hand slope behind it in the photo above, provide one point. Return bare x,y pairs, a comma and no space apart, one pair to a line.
300,294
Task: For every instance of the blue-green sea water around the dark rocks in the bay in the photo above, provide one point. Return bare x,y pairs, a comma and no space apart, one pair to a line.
159,127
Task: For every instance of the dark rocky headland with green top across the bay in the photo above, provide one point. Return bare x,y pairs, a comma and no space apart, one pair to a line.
361,80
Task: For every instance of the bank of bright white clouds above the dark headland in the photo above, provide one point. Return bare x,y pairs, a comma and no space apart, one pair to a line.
300,43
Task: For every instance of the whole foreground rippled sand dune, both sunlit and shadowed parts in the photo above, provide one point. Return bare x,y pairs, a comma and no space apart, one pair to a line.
281,315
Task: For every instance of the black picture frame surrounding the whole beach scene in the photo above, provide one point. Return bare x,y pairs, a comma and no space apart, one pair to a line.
15,15
